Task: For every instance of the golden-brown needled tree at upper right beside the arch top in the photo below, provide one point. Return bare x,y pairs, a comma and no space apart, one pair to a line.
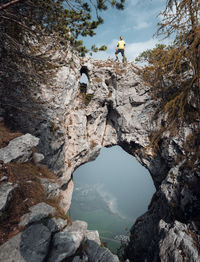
174,71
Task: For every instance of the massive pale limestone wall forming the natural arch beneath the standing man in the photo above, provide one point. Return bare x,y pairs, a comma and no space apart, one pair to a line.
74,121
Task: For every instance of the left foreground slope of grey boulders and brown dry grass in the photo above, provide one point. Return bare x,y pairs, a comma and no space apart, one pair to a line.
41,232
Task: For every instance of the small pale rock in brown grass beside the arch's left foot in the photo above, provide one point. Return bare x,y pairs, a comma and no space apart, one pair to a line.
51,188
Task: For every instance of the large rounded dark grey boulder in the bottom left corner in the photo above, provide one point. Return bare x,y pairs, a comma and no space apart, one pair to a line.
31,245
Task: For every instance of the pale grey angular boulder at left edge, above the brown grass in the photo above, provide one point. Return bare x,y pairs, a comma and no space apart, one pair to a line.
19,149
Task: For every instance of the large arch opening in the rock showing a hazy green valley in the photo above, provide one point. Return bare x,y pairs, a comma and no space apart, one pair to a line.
110,193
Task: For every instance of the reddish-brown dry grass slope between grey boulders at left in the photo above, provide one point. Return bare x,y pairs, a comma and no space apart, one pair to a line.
29,192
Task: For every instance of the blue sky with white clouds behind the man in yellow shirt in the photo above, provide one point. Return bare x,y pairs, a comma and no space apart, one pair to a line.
137,23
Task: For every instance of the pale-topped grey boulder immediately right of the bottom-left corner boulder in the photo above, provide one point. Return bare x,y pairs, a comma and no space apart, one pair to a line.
66,243
